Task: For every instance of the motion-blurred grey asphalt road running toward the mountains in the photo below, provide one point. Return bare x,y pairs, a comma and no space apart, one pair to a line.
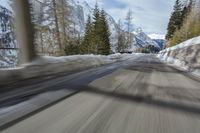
141,95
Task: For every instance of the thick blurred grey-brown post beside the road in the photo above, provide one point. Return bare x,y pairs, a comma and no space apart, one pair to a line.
24,31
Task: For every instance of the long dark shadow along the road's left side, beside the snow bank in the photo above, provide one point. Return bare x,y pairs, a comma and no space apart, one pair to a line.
18,95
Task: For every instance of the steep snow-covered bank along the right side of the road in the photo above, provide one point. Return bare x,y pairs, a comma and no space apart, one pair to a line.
186,55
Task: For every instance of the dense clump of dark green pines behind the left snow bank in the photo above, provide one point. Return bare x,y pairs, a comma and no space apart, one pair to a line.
97,34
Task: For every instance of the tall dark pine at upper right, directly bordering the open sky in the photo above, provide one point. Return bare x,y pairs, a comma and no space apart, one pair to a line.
176,21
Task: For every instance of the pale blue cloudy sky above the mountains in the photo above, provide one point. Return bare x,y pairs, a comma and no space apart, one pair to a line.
151,15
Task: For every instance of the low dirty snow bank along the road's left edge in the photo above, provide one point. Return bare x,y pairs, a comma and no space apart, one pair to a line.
47,65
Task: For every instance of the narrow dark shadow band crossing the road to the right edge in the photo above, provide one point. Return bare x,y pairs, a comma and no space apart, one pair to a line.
147,100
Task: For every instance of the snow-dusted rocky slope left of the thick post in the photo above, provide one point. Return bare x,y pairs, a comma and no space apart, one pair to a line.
8,45
